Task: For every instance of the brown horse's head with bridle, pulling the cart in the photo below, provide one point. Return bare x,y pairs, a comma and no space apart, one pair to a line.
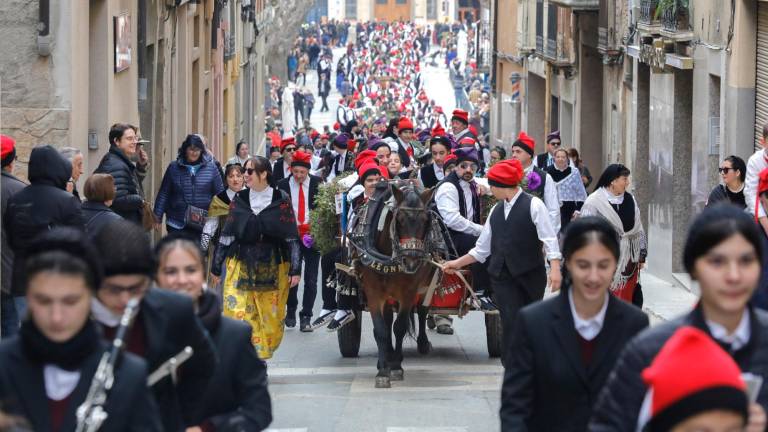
410,225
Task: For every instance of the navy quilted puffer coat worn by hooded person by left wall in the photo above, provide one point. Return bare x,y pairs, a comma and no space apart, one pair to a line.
180,189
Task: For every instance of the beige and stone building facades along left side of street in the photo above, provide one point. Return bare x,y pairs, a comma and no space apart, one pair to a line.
171,68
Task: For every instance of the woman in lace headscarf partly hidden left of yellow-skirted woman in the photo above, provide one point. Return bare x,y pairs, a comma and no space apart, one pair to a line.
219,209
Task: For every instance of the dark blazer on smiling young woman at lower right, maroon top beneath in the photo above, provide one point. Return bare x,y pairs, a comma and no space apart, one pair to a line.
546,384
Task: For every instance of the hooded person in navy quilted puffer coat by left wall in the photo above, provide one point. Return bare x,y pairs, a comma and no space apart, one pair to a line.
189,184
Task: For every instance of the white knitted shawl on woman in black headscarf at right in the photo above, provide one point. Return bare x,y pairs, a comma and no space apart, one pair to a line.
632,241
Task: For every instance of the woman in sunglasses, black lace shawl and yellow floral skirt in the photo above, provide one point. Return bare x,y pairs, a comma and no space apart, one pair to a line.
260,258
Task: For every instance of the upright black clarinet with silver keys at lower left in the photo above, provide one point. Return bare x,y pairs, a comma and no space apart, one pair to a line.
91,414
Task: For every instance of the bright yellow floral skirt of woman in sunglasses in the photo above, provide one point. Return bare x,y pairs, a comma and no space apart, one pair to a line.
263,310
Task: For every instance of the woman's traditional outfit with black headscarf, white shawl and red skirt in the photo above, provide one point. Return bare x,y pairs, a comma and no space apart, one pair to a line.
624,214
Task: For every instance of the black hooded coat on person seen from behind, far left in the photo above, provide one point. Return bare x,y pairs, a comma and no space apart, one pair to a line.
42,205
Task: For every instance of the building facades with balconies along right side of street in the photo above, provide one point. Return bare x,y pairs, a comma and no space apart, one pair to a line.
645,83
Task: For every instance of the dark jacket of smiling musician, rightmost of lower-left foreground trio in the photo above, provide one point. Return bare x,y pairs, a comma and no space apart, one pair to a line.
237,399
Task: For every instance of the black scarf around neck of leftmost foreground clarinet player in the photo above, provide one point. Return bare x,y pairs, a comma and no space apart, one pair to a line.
67,355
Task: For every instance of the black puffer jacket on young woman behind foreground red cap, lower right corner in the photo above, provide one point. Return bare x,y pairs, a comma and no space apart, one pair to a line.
620,400
